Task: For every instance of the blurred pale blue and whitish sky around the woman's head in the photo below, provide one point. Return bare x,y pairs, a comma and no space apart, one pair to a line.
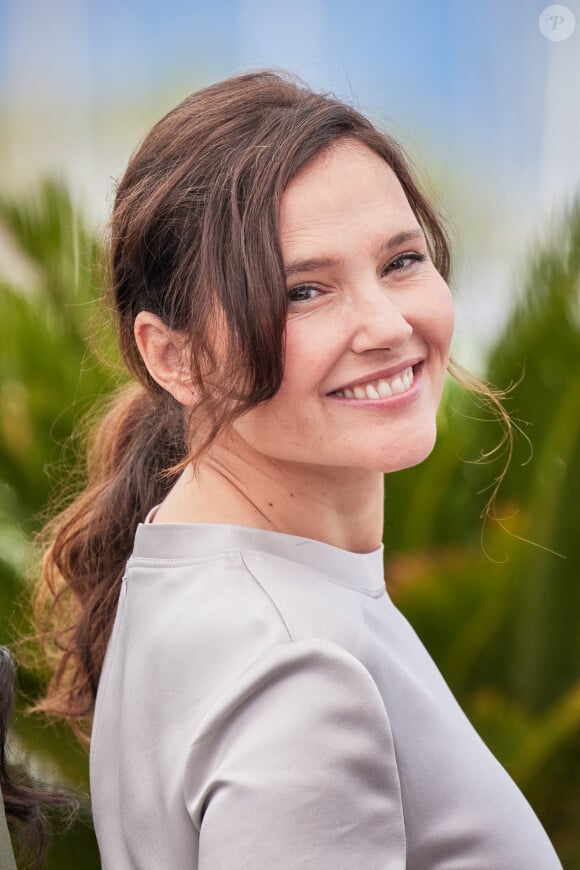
473,89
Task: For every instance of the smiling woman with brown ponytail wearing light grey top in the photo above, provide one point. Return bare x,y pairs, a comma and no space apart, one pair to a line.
280,288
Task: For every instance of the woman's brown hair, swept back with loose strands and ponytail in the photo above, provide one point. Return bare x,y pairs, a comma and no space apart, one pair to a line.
194,239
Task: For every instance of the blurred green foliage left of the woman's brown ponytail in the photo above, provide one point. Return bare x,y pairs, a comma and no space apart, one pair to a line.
50,374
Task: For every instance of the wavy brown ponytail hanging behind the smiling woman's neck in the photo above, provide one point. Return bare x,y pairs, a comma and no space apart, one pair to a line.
138,444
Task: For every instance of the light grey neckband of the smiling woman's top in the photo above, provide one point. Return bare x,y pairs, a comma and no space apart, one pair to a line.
179,542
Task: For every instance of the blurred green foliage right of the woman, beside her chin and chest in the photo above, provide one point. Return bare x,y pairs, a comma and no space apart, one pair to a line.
498,603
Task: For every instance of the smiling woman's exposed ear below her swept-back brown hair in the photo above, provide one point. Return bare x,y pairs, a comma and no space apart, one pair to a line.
163,352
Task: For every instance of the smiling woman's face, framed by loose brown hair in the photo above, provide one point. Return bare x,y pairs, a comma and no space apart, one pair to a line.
369,323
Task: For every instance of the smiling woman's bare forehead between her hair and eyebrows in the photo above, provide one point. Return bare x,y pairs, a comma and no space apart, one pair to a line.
346,191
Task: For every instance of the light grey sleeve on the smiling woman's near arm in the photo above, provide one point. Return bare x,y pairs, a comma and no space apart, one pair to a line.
294,768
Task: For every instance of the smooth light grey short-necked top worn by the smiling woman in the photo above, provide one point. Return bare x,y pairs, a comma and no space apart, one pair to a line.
265,706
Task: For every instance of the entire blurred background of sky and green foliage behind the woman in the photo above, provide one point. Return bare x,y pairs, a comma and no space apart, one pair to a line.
485,99
